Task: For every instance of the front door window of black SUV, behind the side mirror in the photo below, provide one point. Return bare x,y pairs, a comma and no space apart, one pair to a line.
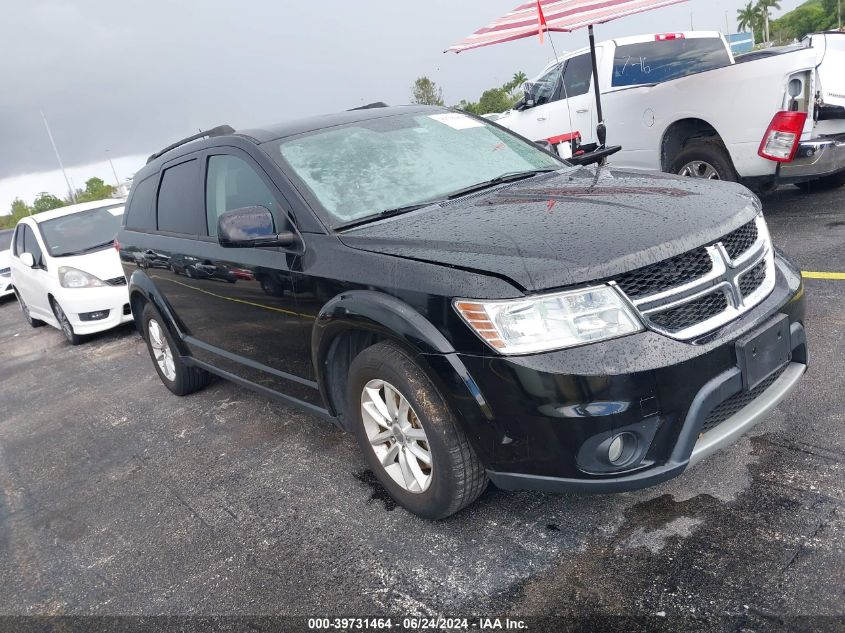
232,183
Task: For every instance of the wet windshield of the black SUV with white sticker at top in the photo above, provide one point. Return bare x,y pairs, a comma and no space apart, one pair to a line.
368,167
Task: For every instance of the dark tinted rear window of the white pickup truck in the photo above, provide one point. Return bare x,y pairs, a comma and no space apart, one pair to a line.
655,62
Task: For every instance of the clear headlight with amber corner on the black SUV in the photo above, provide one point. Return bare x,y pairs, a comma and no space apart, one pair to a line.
554,321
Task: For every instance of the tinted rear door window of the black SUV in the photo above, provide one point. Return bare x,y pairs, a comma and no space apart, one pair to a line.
179,209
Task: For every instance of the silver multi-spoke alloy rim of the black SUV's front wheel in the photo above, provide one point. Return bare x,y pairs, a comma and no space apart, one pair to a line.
396,436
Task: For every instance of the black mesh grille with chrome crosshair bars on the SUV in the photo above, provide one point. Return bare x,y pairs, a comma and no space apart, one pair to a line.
740,275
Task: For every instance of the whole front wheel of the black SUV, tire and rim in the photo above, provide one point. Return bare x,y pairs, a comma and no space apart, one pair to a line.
455,477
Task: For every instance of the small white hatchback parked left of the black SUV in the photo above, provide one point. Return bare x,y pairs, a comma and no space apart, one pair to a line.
66,272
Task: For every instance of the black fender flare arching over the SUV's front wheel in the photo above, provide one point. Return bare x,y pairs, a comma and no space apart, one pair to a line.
393,319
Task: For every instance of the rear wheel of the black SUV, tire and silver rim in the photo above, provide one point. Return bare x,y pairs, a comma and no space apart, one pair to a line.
176,375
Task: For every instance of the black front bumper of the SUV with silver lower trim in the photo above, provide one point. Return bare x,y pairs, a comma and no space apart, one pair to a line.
548,414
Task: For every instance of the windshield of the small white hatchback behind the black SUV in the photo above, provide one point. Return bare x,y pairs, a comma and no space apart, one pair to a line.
82,232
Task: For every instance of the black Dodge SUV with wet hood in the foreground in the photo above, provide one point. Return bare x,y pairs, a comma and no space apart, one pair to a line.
471,307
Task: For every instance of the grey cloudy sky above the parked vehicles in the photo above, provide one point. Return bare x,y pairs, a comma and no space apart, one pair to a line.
123,79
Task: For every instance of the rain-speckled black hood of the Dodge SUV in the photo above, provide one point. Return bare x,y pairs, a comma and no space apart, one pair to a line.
571,227
